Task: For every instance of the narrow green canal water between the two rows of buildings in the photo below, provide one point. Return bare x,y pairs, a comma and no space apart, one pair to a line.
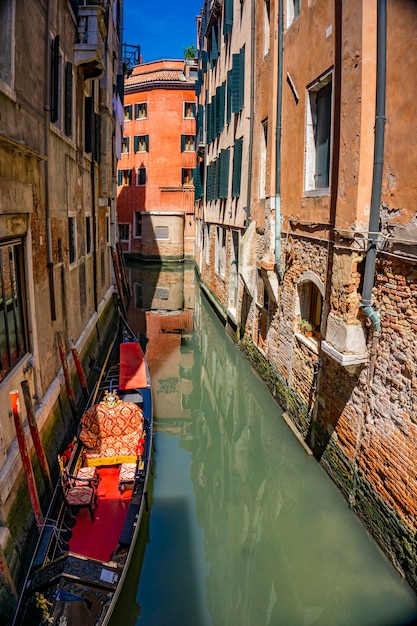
244,528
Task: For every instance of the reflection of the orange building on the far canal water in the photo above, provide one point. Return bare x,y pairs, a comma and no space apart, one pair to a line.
163,304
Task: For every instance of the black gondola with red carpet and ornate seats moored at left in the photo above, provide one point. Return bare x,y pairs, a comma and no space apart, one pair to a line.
94,518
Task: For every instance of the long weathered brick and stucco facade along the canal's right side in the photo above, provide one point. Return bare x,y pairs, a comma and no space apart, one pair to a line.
325,269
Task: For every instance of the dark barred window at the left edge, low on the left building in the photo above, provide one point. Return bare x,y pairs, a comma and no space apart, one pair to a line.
13,333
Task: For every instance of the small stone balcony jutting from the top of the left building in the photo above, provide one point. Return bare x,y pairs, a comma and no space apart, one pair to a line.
89,50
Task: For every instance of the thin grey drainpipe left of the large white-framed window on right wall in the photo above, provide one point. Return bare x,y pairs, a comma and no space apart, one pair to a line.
278,265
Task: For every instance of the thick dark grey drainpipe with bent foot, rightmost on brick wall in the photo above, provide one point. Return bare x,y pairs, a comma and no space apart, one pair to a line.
369,274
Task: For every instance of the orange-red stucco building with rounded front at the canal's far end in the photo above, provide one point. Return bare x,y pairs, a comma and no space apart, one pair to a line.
155,186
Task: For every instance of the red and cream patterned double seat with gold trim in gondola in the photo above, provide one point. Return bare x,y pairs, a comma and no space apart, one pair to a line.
111,434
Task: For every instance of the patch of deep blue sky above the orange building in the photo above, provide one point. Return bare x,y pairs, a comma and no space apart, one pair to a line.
162,28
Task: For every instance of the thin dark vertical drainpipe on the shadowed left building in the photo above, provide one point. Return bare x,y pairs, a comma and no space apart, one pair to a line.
50,262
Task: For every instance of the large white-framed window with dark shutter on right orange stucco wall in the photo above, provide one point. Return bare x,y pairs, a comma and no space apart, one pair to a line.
318,135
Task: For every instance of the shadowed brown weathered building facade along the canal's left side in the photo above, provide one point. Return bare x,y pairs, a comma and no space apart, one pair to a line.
59,102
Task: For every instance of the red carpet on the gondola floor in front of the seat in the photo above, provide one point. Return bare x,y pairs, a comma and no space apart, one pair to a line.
98,539
